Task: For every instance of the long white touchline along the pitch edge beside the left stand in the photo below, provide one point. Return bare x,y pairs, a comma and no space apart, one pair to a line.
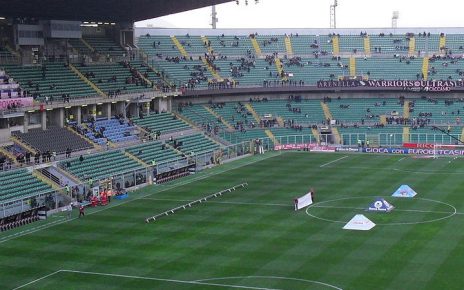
168,187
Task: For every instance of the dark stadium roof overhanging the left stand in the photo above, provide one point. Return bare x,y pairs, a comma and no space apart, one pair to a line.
99,10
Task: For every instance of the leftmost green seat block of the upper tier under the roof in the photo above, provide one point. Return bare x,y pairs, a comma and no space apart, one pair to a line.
56,80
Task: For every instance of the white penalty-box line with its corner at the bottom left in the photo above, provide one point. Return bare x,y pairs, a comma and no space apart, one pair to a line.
148,278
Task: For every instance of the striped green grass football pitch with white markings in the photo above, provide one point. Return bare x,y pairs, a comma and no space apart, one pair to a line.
251,238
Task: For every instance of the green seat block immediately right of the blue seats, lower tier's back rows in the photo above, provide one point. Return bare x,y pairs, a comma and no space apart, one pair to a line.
164,122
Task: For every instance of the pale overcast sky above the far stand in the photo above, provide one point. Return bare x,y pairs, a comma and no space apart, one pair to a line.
316,14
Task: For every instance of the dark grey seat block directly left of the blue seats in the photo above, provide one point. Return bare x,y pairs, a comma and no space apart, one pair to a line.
53,139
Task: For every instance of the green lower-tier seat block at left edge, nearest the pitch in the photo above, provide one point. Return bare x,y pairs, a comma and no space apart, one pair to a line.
19,184
